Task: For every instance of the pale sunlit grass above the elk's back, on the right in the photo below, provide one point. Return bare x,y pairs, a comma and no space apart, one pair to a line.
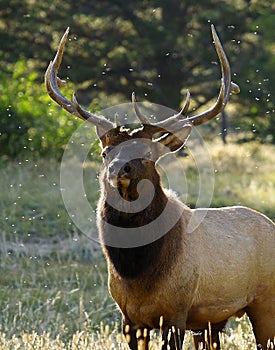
243,174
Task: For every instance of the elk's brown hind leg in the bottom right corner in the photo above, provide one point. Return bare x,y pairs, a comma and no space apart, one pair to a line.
262,318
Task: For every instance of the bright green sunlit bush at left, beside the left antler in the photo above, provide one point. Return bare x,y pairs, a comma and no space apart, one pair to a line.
31,124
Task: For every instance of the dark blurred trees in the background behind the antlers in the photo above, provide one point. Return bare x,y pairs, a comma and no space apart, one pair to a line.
157,49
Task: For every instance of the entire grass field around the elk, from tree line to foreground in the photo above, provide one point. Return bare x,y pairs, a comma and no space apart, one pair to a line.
53,292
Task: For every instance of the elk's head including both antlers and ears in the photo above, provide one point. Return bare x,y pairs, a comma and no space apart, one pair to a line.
130,153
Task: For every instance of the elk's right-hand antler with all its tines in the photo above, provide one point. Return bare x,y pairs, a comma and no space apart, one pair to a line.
176,122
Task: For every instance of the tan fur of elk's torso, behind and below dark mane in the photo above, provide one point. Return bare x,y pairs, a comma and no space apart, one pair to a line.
221,270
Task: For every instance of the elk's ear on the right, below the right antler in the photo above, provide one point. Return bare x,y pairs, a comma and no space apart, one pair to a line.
174,141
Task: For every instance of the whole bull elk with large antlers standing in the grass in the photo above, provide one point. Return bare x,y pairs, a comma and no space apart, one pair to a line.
186,277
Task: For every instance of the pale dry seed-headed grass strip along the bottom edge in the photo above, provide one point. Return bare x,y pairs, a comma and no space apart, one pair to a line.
240,338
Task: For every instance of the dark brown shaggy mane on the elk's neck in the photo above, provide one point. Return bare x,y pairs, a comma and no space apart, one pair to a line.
152,259
